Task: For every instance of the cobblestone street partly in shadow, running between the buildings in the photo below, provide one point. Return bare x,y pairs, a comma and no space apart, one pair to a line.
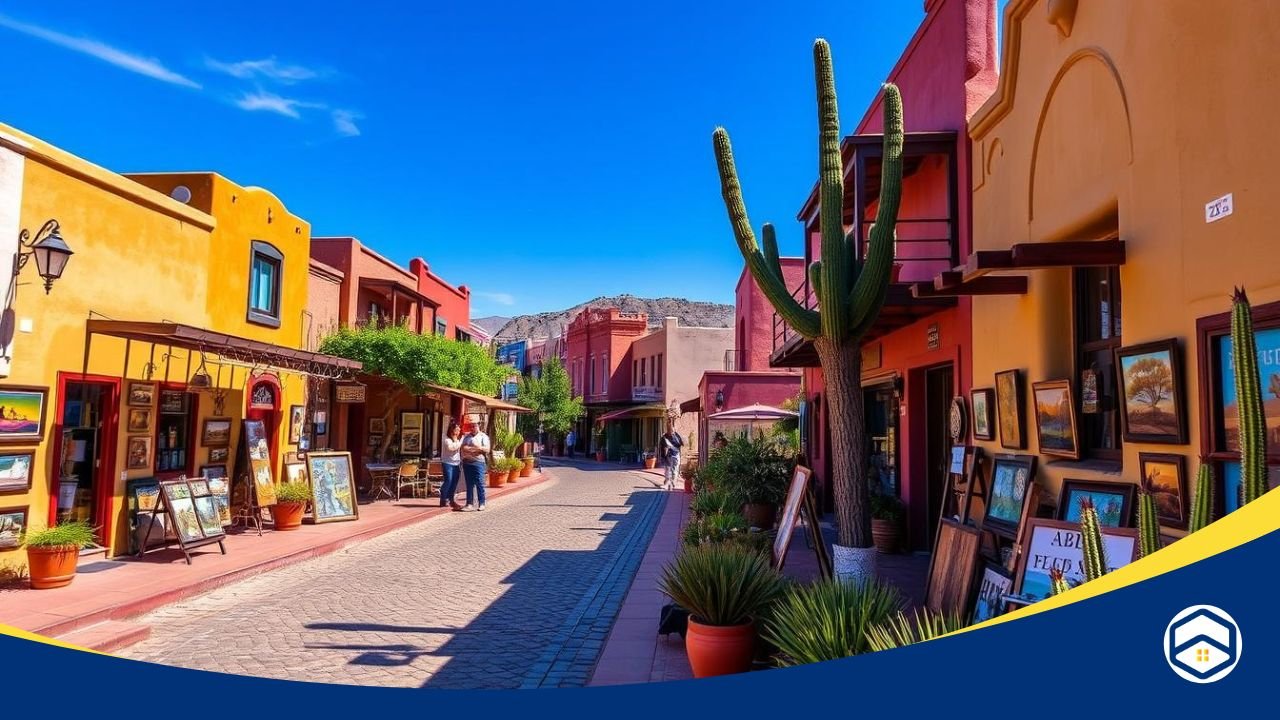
522,595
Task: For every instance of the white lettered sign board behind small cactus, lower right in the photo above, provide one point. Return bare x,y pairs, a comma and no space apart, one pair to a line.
1057,544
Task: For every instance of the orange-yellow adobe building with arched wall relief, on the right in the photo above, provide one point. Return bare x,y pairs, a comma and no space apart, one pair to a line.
1123,184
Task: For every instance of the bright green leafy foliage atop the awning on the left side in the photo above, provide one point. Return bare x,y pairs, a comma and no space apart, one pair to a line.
418,361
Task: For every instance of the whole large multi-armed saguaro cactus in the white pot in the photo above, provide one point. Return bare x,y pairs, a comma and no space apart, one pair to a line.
851,290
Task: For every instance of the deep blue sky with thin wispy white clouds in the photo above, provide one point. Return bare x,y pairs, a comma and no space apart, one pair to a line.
541,153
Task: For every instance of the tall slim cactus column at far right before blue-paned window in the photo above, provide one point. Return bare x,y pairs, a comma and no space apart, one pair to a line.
1249,400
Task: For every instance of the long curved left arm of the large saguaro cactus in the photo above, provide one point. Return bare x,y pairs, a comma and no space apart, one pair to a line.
804,322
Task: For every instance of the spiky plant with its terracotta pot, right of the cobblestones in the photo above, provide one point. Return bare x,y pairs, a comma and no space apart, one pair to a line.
725,589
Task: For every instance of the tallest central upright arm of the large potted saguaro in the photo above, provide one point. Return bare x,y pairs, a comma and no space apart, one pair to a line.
831,211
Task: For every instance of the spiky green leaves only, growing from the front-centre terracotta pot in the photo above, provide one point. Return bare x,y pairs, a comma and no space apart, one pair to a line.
721,585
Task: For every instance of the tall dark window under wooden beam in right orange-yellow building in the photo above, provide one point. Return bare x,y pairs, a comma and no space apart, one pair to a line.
1098,336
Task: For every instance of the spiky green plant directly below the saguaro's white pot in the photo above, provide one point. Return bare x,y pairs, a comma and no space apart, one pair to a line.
829,619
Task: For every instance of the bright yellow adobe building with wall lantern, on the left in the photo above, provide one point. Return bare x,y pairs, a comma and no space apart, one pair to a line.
173,277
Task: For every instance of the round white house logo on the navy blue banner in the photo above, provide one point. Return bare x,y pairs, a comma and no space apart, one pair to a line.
1203,644
